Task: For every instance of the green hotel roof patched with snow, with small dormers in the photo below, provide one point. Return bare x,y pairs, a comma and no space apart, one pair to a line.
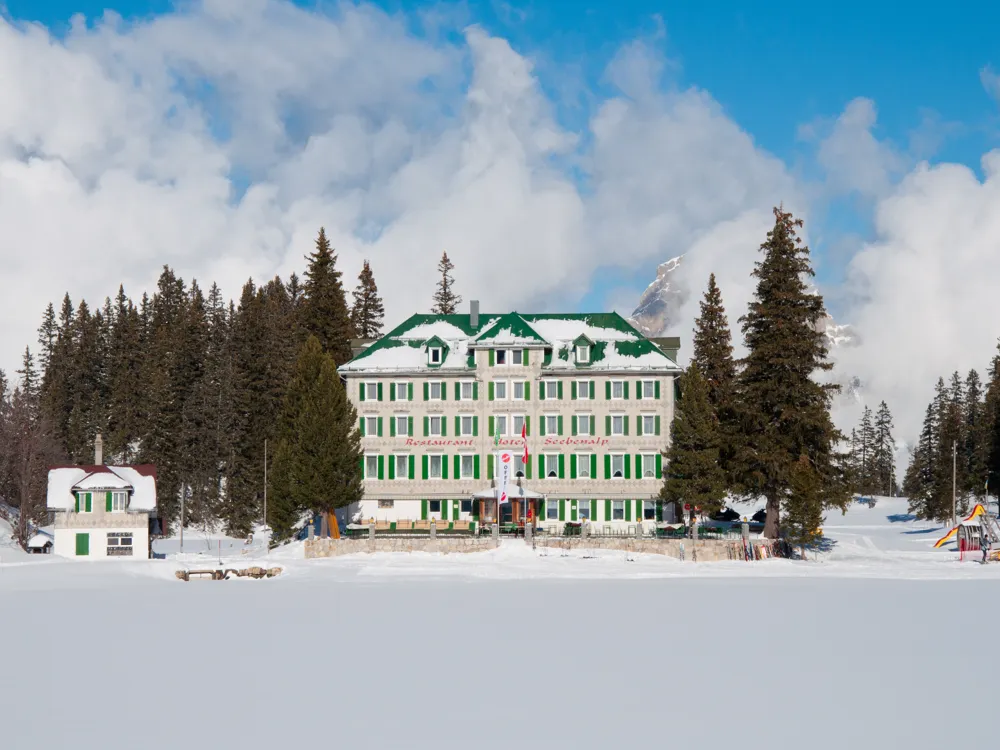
616,344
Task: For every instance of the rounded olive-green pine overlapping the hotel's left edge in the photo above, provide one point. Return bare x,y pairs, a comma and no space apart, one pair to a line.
318,455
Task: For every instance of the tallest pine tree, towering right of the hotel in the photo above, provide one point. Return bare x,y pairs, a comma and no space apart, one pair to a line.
786,413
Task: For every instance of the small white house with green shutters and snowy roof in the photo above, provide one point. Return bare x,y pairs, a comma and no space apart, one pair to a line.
102,511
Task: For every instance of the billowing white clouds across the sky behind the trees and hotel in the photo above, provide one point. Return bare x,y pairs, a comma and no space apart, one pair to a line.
218,138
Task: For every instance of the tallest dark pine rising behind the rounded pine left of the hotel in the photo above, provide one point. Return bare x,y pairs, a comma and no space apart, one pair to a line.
324,307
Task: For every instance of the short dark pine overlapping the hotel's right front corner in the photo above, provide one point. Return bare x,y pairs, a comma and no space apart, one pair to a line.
694,474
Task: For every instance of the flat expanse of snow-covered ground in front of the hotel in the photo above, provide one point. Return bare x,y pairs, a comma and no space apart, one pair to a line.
867,646
